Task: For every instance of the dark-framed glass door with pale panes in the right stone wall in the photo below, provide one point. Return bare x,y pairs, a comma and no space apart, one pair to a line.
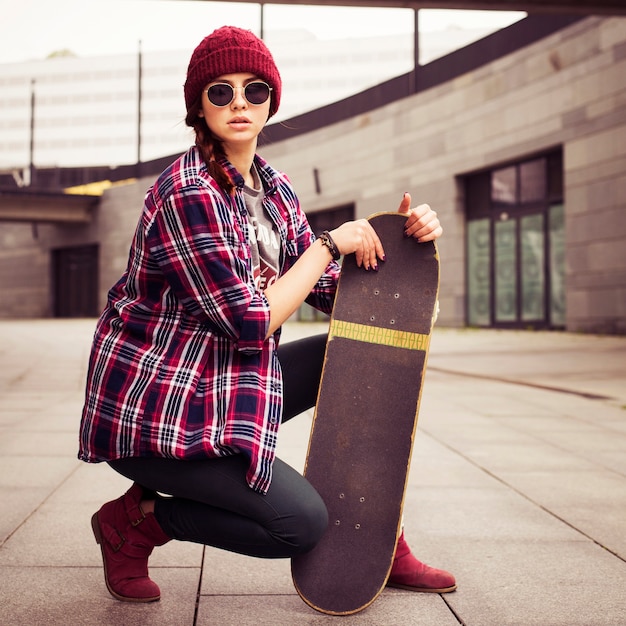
515,246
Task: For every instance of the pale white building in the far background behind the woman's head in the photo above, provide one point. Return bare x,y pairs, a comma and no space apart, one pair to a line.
109,110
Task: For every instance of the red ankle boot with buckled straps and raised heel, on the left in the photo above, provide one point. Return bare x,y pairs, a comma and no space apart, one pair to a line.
127,536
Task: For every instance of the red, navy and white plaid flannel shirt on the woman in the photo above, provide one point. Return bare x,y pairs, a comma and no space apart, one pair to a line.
180,366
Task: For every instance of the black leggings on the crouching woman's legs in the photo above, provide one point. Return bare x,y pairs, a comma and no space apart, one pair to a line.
211,501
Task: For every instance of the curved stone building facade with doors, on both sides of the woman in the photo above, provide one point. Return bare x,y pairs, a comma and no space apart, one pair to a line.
523,157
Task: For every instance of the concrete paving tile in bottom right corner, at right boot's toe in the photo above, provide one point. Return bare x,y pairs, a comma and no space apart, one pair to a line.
510,583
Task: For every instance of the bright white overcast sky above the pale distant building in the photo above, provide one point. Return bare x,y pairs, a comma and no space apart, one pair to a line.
32,29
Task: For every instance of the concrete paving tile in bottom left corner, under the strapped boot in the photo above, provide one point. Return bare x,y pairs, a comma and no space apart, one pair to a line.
30,596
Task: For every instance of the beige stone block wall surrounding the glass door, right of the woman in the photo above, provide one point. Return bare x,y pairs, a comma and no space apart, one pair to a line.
567,90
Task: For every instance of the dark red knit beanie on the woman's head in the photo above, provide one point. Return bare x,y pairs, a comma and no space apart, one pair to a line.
228,50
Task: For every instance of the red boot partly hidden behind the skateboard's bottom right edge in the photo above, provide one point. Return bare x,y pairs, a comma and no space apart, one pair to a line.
409,573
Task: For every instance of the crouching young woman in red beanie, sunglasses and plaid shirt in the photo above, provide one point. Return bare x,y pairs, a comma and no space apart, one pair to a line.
187,385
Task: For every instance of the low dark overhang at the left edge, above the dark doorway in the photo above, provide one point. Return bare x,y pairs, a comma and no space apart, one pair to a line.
21,205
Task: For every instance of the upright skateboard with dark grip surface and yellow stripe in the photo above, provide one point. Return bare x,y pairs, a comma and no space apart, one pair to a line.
365,418
